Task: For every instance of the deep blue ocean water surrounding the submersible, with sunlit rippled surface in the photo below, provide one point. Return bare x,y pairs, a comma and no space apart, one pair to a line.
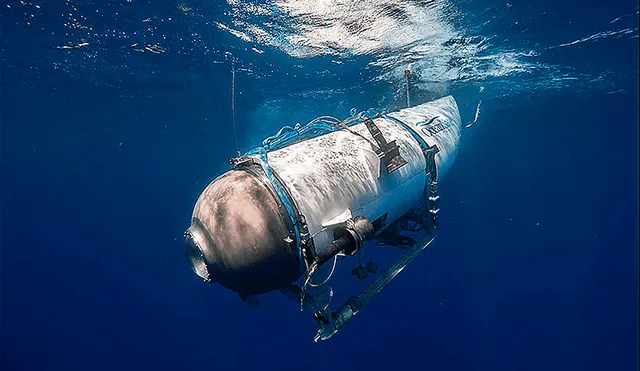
116,114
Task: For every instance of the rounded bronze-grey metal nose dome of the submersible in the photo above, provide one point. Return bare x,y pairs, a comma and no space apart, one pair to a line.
237,235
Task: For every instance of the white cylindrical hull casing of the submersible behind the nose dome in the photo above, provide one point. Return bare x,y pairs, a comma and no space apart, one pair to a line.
340,171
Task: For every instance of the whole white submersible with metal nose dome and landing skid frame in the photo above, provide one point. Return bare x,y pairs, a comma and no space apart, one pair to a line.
315,192
